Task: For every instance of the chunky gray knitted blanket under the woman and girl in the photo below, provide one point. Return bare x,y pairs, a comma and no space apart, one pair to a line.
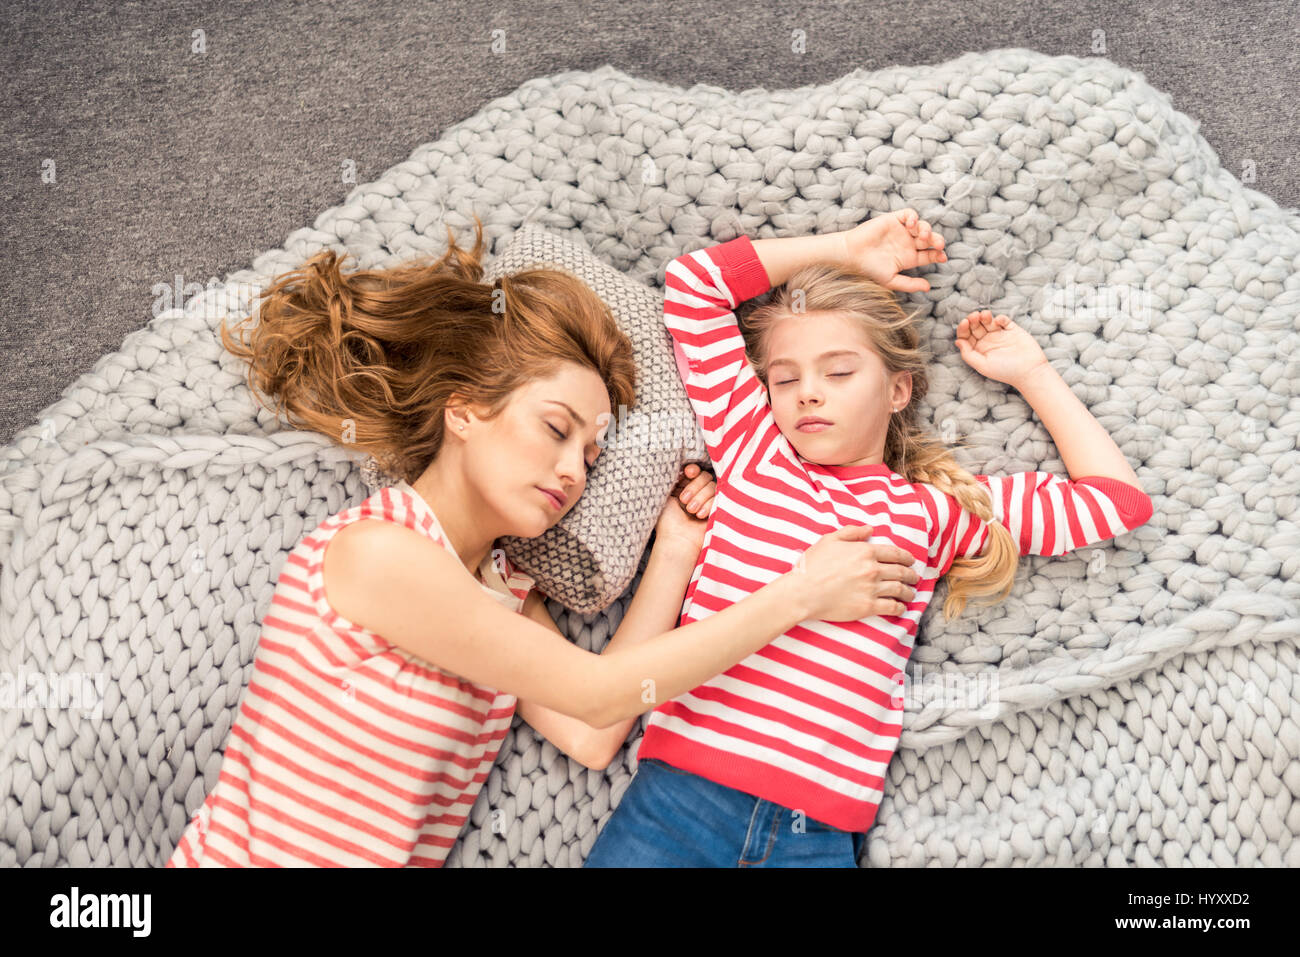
1146,690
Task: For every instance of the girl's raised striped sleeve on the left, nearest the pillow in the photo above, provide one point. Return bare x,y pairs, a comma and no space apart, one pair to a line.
703,291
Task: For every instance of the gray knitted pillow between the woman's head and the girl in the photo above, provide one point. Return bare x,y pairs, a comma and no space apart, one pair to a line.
591,556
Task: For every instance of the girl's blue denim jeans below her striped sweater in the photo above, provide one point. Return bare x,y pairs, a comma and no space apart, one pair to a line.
674,819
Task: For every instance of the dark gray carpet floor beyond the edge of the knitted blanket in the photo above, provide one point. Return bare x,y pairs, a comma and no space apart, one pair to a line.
172,163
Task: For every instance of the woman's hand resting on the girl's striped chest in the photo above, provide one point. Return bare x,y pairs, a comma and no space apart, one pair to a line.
846,578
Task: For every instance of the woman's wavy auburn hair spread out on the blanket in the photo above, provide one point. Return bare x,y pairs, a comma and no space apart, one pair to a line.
371,358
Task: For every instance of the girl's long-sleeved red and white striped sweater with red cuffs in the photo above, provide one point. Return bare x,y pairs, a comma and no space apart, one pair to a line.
809,722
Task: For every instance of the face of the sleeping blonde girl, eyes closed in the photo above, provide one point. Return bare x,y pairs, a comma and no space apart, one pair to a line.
821,366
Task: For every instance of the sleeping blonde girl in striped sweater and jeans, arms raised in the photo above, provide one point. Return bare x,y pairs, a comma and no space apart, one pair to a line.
782,759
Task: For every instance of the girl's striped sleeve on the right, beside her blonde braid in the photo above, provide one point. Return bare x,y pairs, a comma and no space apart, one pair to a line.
1046,514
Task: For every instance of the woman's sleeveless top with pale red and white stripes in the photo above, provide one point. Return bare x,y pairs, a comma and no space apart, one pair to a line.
349,751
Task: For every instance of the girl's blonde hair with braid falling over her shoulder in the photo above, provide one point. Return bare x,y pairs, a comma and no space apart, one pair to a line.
912,449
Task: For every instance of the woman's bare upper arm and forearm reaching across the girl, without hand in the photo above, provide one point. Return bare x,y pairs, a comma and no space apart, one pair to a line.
411,591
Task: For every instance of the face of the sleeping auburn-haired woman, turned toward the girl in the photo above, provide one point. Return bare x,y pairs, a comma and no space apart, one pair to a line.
545,440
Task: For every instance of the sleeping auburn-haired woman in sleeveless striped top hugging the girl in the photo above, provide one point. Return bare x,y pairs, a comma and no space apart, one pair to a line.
401,643
